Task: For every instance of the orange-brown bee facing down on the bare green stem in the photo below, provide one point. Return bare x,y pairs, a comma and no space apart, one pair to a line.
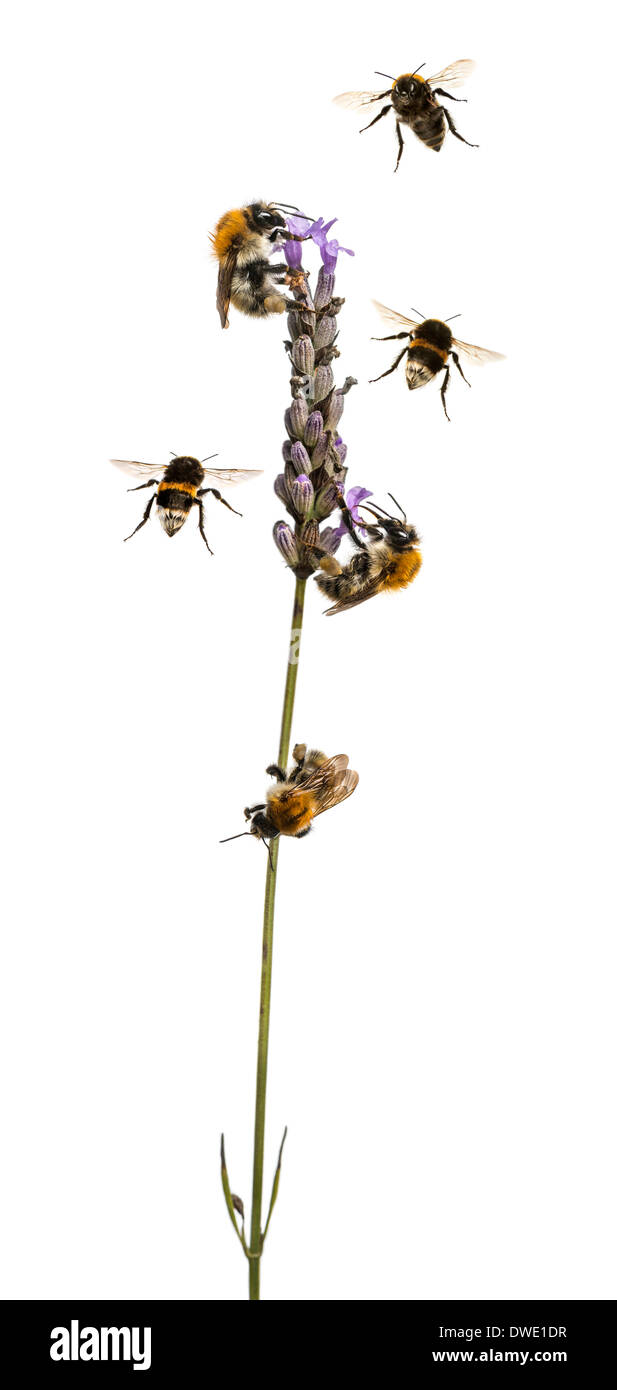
312,786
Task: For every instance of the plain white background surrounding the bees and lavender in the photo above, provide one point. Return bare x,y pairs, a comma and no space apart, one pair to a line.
444,1003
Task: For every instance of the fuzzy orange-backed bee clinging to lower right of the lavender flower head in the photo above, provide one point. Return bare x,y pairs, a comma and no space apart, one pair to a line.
391,561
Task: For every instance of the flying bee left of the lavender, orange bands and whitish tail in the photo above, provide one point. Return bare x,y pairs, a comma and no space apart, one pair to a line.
180,489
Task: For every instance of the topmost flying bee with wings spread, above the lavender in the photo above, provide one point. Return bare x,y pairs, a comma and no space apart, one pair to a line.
413,101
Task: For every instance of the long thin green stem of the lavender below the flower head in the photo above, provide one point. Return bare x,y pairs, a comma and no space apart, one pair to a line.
255,1256
